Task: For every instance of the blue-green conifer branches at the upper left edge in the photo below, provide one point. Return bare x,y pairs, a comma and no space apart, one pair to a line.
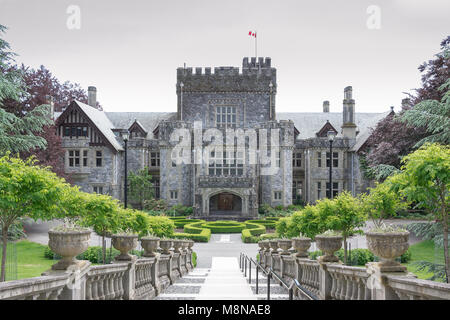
17,134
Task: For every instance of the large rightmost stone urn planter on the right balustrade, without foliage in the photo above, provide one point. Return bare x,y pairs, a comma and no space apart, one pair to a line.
388,246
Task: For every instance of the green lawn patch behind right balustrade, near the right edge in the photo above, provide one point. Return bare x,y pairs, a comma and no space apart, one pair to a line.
424,251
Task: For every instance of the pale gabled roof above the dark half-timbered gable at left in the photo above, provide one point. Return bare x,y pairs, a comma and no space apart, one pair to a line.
98,119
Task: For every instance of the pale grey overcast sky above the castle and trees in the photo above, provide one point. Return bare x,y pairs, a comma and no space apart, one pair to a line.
130,49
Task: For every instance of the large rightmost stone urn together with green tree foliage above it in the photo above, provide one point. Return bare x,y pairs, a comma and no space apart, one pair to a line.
385,241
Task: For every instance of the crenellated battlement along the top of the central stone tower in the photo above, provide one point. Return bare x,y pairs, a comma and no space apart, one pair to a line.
254,76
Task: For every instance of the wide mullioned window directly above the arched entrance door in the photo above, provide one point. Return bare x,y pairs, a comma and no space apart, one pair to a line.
226,163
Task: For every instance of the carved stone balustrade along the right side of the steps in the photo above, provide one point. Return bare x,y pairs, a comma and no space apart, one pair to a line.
335,281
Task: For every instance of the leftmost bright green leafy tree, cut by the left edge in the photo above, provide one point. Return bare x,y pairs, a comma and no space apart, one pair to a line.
27,190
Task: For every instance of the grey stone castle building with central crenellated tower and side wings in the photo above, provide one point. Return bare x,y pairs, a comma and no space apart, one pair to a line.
230,182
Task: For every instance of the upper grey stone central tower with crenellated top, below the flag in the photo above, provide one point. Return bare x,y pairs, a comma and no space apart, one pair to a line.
227,96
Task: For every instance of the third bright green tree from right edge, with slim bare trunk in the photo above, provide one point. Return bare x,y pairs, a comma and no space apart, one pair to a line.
343,214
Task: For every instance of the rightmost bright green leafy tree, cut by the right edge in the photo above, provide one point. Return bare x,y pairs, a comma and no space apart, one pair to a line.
425,179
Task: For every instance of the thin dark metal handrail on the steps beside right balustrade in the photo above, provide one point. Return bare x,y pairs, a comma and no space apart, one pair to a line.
243,259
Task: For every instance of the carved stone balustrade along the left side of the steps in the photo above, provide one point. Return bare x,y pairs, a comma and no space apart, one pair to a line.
138,279
